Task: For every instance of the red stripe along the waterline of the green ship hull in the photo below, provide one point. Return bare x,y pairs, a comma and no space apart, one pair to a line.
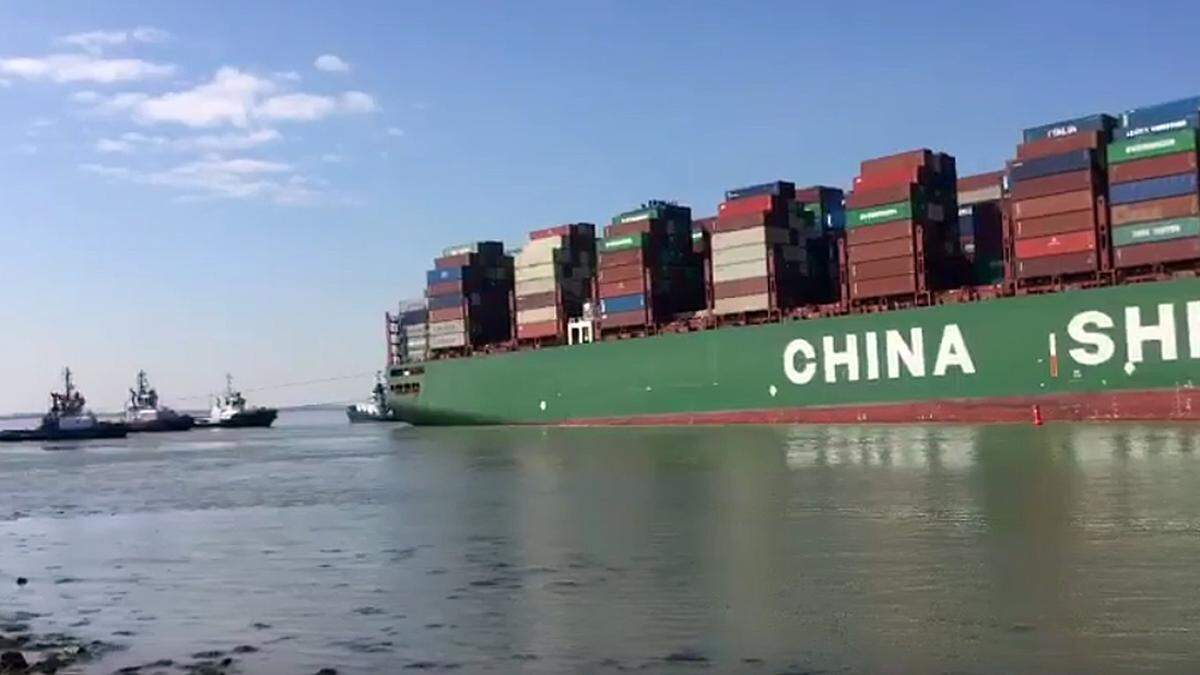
1102,407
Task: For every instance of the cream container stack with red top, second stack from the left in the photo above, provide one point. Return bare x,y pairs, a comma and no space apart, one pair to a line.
554,272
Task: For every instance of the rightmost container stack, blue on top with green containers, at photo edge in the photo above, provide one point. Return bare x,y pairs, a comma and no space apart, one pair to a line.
1153,186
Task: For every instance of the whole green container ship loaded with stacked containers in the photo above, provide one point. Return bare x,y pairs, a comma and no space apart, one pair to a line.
1063,285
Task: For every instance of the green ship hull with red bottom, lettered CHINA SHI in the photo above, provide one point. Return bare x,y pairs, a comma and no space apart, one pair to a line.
1124,353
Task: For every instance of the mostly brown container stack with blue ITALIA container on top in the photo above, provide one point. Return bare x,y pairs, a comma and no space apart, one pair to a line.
1059,216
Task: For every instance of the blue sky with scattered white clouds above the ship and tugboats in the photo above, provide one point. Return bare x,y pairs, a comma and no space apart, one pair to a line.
191,188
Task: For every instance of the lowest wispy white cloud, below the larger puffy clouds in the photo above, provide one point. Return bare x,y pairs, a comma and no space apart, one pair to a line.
219,178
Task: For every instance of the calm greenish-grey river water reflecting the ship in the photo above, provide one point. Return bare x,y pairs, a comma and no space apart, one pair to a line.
851,549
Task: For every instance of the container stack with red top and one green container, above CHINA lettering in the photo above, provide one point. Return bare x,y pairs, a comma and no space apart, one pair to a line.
901,226
